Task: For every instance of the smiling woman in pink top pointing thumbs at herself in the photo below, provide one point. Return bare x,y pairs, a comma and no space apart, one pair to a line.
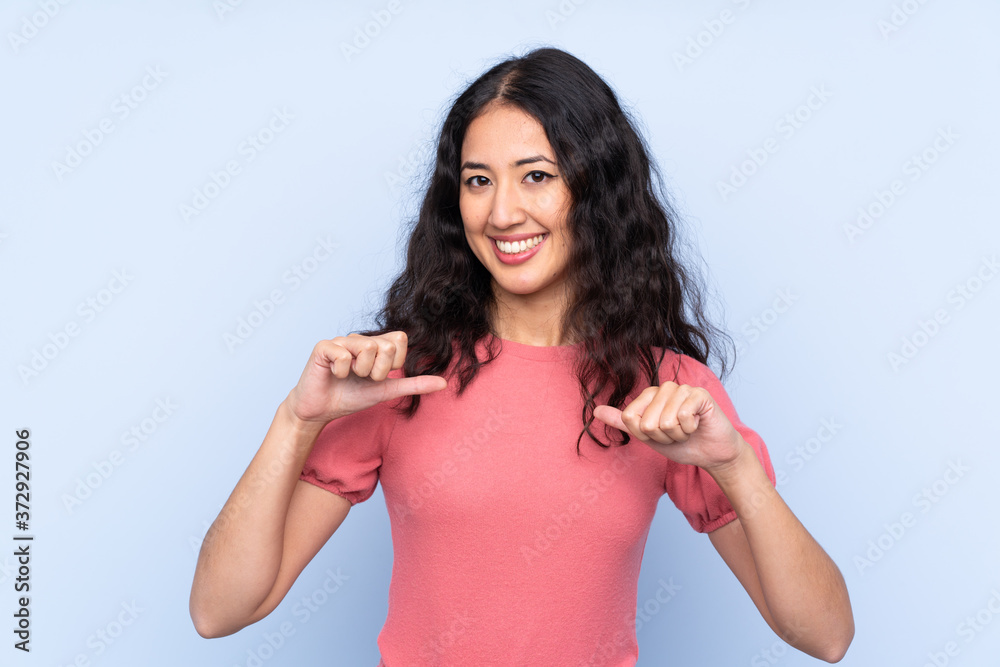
535,386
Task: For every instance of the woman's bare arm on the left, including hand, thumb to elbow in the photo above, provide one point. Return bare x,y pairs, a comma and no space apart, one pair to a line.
273,524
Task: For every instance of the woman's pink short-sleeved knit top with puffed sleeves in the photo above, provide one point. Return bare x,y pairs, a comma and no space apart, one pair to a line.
509,549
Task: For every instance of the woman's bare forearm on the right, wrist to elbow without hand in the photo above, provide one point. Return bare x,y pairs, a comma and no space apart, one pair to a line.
795,585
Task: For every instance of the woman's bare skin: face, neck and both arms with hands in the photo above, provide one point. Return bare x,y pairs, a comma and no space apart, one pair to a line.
273,523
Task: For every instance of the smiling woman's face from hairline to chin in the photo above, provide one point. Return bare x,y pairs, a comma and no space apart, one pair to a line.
512,191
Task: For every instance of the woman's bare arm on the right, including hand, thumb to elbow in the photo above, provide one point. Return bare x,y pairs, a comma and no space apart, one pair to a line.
795,585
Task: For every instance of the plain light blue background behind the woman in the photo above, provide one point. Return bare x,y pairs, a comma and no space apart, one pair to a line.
349,166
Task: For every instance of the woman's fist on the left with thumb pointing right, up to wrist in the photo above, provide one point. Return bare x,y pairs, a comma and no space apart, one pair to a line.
349,373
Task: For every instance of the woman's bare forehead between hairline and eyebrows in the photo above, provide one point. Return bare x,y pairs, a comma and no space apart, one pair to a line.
504,130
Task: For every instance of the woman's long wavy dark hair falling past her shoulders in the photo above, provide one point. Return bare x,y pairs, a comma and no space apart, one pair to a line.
629,292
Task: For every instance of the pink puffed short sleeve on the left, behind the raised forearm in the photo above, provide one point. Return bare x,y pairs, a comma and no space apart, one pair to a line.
348,453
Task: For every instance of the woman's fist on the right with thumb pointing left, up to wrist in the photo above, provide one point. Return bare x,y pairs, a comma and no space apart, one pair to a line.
681,422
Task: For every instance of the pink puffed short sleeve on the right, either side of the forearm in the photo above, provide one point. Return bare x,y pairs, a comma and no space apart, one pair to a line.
693,490
